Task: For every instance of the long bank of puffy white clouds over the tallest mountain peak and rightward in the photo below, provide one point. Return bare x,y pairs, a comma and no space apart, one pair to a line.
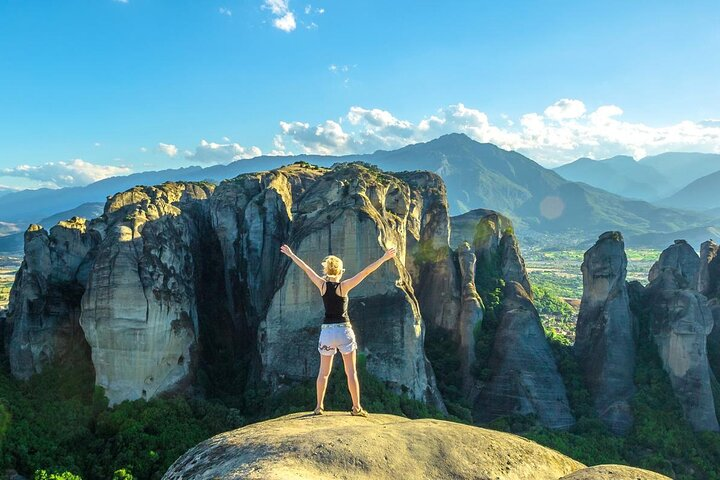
563,132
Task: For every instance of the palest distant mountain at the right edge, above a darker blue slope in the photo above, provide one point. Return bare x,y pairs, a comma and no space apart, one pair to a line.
683,168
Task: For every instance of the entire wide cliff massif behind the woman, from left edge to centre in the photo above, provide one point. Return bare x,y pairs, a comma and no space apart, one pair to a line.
183,274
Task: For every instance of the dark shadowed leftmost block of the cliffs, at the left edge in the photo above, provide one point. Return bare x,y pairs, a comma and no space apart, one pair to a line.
42,320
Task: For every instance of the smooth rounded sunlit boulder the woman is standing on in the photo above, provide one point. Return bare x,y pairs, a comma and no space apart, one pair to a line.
302,446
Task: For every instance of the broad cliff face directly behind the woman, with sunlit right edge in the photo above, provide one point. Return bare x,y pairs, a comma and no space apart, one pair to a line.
356,213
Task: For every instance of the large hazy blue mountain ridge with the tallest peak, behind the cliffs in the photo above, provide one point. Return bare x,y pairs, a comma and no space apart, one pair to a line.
477,175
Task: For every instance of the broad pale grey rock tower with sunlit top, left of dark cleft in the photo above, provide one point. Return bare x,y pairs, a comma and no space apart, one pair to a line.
139,310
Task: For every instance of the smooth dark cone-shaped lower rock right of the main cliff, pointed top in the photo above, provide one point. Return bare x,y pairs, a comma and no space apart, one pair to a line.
524,379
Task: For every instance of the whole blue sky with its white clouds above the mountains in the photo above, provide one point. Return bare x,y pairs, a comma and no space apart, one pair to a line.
99,87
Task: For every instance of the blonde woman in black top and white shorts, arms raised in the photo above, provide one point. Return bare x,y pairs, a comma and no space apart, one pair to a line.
337,333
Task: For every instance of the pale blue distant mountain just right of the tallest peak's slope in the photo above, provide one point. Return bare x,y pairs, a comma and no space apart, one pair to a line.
621,175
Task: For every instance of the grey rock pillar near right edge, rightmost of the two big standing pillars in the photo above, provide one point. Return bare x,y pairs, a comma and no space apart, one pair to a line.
680,323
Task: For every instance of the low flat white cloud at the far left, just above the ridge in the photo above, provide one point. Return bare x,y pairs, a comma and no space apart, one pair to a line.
65,174
